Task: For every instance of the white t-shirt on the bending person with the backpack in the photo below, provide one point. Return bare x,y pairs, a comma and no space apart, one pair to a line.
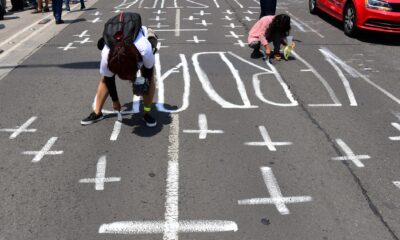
143,46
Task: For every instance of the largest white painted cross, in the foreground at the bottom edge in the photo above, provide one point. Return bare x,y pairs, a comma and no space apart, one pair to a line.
171,225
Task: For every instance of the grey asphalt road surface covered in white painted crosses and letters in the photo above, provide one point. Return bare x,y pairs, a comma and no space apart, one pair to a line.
300,149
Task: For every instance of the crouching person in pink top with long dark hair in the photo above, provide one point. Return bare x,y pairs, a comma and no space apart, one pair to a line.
273,29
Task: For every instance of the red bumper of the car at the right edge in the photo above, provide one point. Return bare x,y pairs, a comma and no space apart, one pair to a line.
381,21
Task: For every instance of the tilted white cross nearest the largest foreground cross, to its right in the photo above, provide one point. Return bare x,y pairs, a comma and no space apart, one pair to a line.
275,193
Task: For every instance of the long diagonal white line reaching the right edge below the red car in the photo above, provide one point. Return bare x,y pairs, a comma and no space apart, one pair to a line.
356,73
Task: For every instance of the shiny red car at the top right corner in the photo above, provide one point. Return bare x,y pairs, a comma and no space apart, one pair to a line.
376,15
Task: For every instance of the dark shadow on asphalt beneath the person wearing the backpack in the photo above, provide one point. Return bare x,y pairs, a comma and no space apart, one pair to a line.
140,128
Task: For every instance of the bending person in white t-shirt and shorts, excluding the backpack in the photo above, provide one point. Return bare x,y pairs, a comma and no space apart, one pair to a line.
125,60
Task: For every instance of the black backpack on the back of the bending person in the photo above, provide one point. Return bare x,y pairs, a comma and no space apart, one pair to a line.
123,27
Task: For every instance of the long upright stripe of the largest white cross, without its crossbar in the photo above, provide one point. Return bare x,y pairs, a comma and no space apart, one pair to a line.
172,188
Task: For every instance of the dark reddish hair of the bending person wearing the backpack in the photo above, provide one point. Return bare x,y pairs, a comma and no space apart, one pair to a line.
123,60
